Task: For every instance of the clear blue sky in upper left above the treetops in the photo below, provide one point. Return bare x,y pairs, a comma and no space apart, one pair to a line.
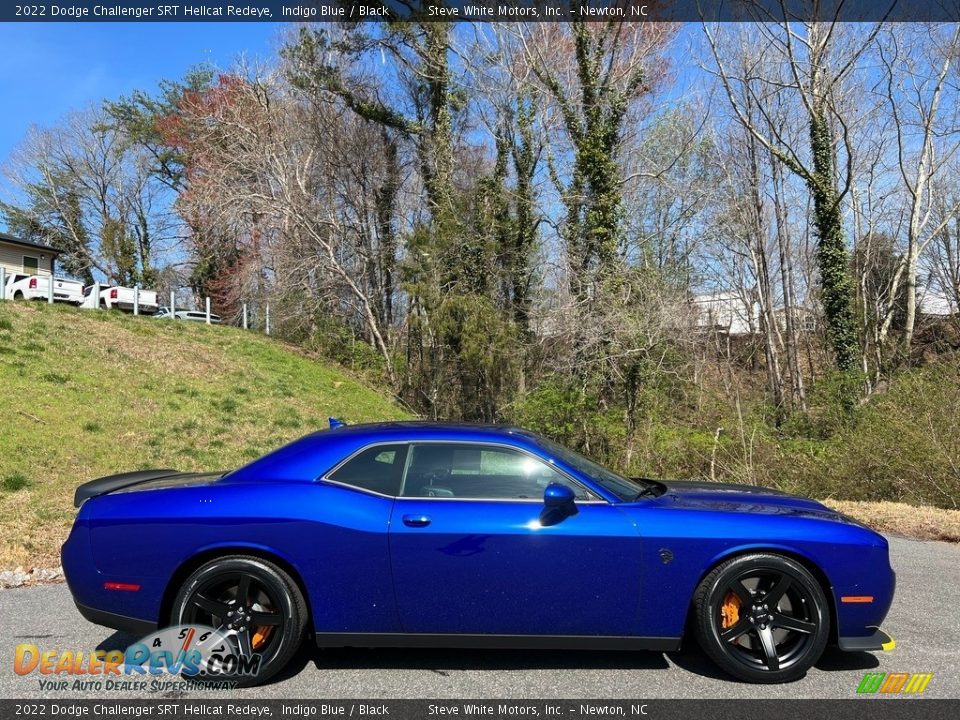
50,69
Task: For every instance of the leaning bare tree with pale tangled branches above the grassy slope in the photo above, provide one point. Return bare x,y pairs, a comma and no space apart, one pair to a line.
263,160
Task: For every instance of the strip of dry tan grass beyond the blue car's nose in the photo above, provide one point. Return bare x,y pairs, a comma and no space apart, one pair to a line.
922,523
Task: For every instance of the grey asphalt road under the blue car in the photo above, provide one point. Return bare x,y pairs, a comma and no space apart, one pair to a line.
925,620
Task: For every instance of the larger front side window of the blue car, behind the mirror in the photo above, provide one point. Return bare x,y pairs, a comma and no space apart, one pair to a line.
449,470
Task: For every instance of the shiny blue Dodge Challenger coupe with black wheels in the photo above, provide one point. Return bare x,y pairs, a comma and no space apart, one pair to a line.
444,535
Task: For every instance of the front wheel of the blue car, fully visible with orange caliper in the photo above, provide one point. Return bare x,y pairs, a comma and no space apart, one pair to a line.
782,618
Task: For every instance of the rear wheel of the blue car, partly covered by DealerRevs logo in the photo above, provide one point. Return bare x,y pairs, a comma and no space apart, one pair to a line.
213,590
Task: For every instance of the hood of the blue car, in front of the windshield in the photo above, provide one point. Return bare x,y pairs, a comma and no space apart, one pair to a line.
731,497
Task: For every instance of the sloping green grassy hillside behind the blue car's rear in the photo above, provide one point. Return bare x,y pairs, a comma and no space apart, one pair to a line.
86,394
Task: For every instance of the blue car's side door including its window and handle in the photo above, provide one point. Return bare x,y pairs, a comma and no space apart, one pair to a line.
474,549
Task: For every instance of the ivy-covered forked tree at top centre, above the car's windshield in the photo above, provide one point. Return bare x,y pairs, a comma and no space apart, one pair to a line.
596,75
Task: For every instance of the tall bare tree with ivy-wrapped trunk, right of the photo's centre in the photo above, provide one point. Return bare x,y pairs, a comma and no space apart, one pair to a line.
810,62
